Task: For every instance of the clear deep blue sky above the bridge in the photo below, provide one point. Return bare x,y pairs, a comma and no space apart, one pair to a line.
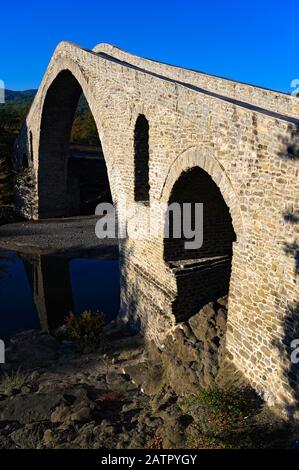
250,41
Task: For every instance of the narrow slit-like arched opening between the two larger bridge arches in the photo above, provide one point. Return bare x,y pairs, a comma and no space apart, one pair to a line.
141,159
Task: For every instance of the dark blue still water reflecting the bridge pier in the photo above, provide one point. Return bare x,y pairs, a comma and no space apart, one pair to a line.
38,291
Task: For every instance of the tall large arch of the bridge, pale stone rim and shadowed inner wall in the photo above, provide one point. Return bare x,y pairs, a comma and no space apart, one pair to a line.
60,92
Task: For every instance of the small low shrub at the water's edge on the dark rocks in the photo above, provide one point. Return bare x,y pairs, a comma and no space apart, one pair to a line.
87,328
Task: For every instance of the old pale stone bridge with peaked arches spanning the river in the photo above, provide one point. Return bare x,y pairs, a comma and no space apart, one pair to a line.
174,135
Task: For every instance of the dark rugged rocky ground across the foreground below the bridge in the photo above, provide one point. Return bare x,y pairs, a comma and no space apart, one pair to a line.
54,394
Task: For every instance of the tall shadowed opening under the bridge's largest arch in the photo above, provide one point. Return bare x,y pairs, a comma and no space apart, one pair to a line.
73,176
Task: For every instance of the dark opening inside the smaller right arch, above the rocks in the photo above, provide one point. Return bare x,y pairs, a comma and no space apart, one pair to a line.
203,273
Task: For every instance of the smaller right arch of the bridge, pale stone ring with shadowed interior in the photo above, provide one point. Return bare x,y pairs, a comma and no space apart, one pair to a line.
202,275
